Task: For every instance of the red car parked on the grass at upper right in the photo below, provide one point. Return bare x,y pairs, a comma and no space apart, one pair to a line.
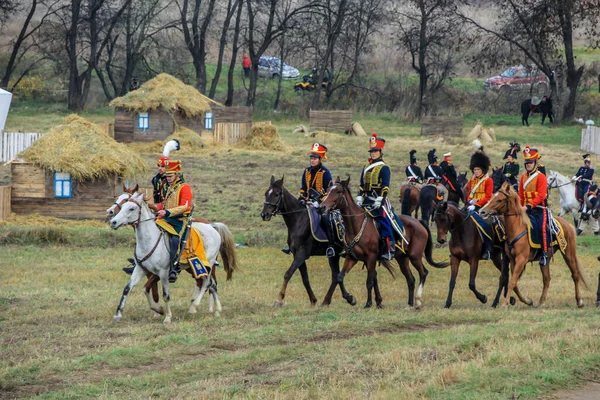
519,78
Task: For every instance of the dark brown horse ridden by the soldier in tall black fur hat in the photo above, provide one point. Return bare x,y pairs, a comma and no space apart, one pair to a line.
466,245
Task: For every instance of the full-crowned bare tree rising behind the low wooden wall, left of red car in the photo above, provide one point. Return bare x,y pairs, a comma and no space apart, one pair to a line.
430,33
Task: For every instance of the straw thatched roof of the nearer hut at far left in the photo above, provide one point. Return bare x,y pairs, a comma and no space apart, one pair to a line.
85,151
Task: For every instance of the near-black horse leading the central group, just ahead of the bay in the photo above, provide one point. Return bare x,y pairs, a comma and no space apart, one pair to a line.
278,200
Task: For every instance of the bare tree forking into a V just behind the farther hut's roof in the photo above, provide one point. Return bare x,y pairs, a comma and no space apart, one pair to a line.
195,28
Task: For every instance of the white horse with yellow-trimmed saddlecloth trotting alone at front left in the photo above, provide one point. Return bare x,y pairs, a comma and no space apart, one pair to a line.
152,255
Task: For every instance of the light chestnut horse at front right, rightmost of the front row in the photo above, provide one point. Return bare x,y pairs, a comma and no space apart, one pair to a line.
506,202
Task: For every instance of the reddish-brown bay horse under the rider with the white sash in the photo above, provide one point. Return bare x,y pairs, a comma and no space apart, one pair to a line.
362,243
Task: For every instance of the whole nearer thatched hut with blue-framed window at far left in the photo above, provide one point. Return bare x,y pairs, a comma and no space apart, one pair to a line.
74,171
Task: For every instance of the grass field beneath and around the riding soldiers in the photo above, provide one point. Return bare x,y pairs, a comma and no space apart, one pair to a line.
61,284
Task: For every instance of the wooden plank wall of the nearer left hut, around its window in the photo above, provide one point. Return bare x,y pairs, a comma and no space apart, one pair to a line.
33,192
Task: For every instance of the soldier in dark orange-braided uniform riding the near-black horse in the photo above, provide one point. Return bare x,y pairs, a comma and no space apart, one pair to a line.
316,179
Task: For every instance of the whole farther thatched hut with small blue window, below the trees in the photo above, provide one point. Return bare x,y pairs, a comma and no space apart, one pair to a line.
157,108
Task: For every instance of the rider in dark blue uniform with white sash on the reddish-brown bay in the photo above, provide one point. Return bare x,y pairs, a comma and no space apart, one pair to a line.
373,192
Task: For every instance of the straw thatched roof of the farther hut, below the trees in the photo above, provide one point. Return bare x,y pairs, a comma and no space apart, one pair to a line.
166,92
